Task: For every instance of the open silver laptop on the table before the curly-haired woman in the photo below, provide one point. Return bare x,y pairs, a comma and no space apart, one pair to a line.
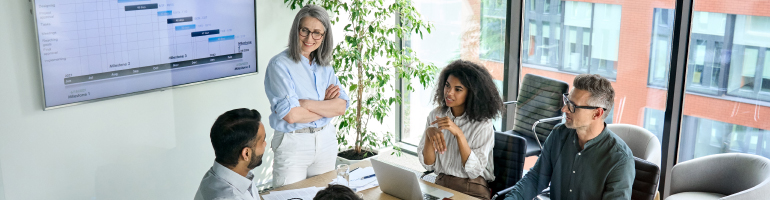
403,184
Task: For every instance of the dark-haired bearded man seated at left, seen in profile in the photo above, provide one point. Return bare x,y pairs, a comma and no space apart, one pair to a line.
238,138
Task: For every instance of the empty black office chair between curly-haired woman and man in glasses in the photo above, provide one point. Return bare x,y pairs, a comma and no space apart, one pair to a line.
539,103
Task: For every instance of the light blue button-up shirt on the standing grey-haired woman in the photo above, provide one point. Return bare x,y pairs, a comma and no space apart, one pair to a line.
286,82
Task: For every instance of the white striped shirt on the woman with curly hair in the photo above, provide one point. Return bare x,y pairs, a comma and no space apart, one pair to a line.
481,139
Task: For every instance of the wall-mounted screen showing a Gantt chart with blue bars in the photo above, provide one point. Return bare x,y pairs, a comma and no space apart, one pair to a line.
92,49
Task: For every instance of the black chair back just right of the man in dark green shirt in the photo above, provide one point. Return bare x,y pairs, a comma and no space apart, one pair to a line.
646,180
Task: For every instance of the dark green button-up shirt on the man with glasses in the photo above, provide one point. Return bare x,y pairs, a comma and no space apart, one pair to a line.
604,169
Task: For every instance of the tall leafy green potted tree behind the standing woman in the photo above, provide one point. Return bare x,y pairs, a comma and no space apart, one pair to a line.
368,62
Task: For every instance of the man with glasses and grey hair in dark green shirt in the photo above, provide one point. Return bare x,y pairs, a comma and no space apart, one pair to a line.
581,158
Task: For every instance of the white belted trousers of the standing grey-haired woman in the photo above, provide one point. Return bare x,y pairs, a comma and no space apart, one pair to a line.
299,156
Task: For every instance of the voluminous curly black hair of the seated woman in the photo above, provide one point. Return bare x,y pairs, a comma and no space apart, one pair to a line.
483,101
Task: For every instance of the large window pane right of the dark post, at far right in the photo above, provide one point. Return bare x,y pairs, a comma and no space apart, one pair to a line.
727,69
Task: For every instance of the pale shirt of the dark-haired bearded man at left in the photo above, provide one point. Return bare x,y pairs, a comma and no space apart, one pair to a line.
221,183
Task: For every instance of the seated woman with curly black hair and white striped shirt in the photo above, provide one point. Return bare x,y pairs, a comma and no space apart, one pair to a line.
459,134
